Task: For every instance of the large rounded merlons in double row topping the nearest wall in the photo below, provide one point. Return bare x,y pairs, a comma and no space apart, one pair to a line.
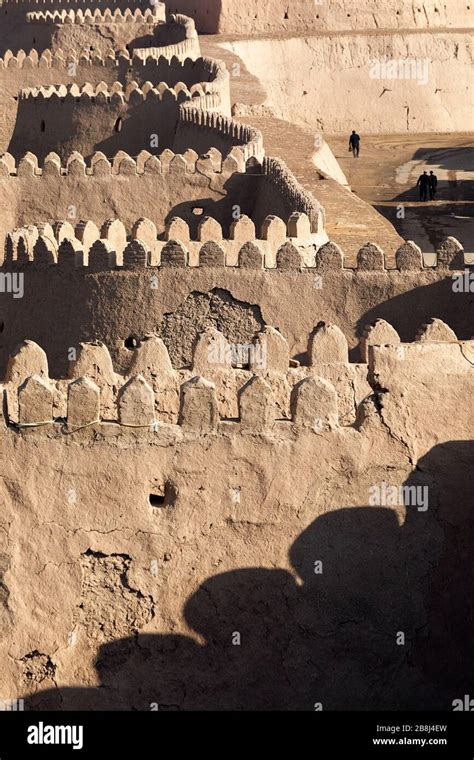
251,389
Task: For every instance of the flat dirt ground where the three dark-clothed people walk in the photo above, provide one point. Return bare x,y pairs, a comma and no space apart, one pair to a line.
385,176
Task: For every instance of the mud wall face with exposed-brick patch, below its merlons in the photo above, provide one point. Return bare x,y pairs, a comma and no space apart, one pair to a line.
62,307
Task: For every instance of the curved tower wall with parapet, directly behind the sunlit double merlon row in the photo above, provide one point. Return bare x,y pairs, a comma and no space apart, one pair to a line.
188,186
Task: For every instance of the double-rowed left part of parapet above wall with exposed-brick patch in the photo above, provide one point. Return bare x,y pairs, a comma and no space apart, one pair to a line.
91,247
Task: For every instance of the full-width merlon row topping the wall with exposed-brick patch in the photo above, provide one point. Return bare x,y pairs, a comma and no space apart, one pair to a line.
290,246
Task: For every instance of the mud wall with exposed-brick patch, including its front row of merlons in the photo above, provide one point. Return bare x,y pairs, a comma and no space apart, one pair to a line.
136,299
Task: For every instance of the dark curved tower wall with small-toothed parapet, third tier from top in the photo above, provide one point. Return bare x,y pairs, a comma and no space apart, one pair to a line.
88,118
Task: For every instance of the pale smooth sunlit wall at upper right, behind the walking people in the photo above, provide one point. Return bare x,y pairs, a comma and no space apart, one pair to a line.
313,79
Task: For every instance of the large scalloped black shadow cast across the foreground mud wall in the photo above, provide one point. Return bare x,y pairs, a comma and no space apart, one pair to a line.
336,639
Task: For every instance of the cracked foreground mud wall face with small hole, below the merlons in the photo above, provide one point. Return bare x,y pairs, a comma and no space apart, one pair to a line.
153,596
